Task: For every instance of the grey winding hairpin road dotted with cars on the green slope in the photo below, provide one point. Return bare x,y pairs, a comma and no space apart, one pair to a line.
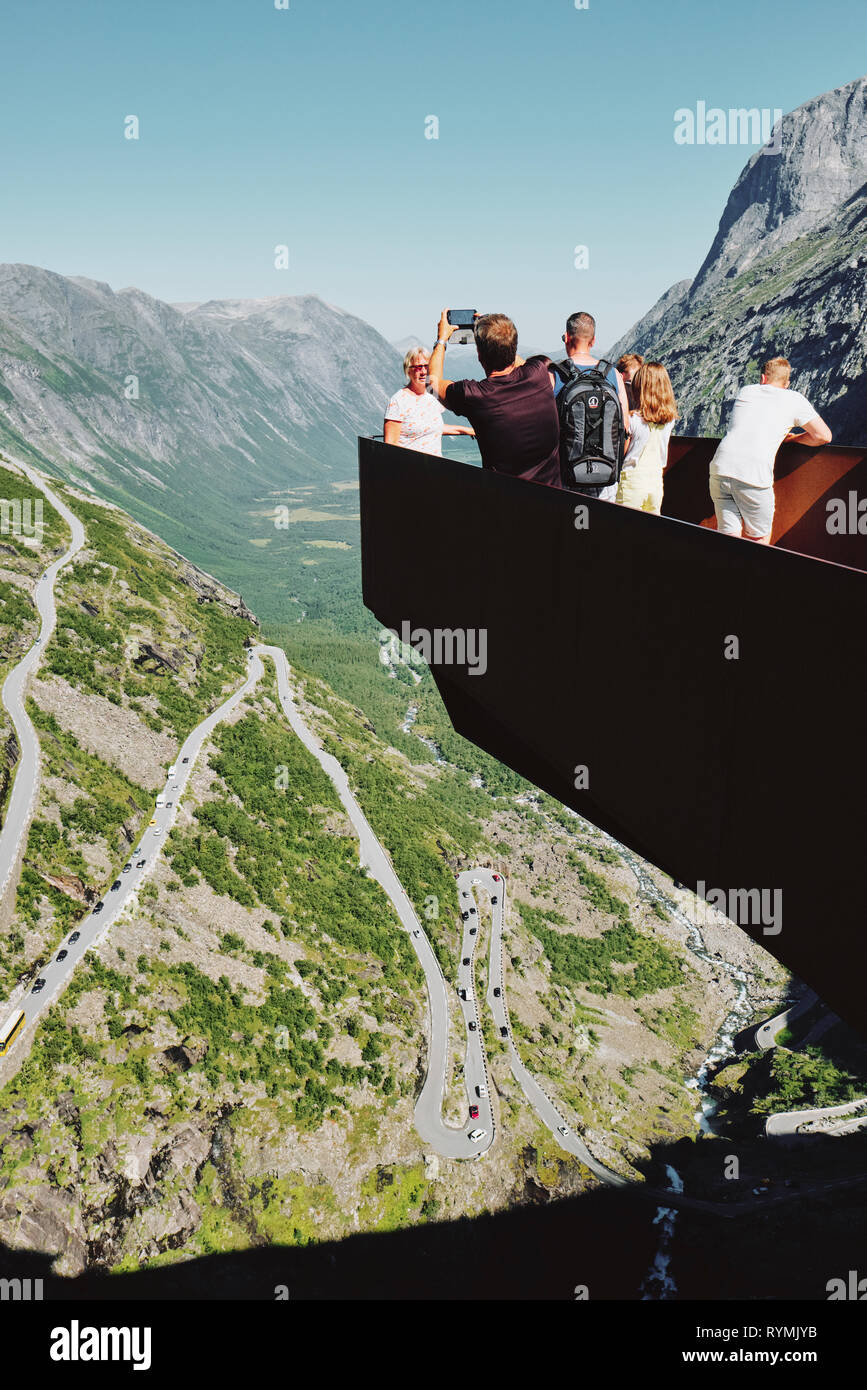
448,1140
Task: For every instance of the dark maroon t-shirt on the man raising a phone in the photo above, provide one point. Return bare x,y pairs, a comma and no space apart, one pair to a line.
515,419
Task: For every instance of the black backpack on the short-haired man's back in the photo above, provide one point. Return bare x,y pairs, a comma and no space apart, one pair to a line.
591,427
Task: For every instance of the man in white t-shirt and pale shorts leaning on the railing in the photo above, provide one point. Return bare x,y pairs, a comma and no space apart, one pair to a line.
743,469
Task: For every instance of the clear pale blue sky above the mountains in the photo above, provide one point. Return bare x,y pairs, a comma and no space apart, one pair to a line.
306,127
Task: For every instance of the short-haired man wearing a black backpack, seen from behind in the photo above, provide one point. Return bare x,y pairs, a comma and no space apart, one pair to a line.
594,414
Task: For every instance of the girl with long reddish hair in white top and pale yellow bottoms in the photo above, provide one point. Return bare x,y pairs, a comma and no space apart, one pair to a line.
651,425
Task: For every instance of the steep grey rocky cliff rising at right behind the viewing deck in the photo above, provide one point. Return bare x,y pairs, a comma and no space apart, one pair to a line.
786,276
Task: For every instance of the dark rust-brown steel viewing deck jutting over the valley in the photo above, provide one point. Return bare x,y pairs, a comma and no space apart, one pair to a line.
695,696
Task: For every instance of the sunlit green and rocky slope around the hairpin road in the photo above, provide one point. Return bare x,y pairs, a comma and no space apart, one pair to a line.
238,1061
